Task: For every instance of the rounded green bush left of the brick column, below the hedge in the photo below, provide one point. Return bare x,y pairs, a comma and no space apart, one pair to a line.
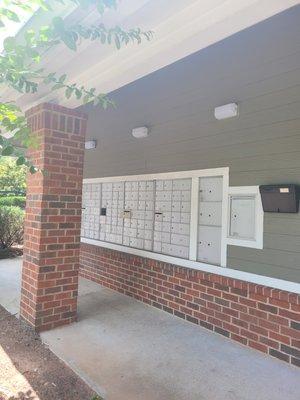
11,226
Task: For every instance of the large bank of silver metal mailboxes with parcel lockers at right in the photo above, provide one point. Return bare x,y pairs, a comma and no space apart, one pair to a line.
179,216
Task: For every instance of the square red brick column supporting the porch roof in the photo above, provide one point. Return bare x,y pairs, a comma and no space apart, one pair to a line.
53,218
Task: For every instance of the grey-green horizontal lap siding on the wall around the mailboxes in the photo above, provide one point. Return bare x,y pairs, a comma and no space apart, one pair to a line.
259,69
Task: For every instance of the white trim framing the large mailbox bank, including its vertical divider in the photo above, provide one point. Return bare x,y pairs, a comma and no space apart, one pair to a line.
194,175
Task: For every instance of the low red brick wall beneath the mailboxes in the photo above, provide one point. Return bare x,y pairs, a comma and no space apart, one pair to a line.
263,318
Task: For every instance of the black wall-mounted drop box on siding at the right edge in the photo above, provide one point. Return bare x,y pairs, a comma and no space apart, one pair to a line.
280,198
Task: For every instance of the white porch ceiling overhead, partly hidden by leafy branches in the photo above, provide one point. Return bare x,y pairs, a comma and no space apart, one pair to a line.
181,27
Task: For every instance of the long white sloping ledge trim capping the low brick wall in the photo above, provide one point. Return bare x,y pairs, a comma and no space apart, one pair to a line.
213,269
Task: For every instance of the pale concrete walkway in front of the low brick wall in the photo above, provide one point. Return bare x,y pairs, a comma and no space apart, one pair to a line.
129,351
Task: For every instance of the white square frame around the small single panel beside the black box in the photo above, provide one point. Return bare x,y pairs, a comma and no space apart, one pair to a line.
259,217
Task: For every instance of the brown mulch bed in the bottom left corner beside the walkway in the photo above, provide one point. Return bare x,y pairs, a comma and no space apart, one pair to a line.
46,375
